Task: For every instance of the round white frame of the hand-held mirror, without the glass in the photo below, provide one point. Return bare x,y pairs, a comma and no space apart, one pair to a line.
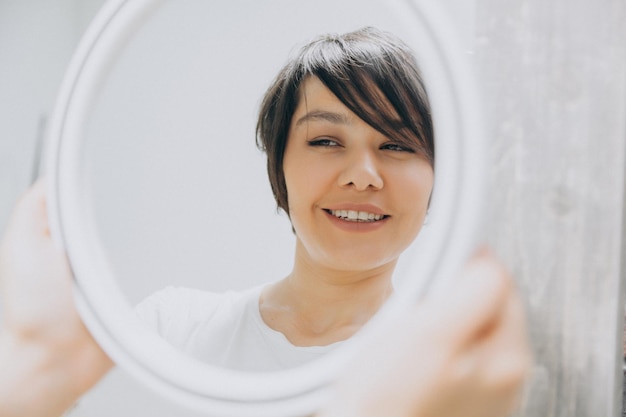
453,222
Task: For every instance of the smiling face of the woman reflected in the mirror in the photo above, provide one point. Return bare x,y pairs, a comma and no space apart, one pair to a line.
356,198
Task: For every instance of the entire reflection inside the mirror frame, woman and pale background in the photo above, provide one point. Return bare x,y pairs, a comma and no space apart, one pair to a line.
185,208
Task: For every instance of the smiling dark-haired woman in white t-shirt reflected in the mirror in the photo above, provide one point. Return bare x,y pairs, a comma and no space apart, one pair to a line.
348,134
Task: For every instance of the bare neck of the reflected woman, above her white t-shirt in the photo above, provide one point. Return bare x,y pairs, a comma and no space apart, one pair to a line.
319,305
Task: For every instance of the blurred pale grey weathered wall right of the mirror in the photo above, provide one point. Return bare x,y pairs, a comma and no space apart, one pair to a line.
553,78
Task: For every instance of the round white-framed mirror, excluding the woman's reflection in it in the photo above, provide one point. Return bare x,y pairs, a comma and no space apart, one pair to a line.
156,182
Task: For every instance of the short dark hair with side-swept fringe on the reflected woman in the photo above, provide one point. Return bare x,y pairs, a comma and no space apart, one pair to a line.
371,72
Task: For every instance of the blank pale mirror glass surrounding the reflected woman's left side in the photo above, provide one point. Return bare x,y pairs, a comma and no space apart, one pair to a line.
179,188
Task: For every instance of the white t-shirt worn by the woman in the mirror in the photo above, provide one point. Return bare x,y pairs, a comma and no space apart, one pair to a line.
224,329
